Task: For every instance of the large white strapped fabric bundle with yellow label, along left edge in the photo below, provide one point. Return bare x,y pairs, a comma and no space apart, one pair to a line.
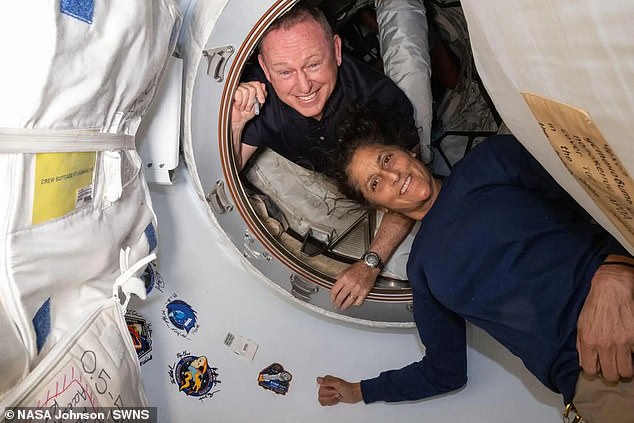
74,196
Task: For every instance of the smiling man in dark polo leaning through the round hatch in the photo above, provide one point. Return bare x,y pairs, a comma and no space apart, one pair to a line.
304,84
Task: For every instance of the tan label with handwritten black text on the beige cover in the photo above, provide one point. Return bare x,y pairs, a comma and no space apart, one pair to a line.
586,154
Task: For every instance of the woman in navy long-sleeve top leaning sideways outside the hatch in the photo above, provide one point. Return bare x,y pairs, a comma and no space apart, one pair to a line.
503,246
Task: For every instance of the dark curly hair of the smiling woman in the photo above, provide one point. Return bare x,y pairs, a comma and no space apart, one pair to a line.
359,126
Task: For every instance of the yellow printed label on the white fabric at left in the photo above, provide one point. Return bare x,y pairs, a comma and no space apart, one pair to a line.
63,183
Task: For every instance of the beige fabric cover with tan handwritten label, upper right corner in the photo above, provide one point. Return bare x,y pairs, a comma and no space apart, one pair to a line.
561,74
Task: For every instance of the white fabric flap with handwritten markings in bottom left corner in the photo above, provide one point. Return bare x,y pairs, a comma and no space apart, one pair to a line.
92,367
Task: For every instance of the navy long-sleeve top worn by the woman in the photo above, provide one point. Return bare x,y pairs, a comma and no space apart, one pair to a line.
507,249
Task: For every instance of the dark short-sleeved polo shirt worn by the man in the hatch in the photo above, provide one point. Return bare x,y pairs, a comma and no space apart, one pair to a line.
309,142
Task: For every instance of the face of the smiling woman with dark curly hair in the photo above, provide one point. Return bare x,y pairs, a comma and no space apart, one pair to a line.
394,179
